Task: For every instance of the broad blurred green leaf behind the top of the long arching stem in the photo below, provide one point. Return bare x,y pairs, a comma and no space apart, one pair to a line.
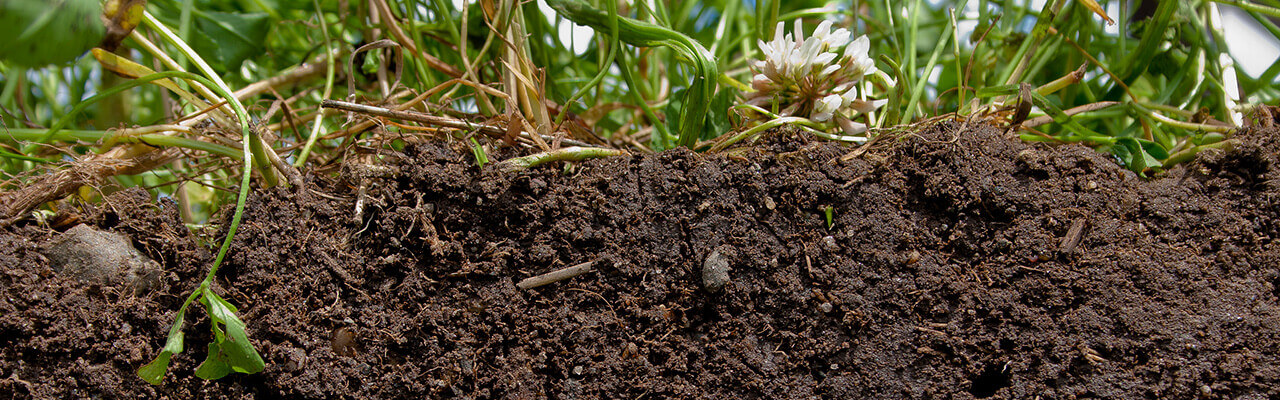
230,39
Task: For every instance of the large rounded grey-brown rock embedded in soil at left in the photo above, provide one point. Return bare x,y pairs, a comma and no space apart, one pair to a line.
103,258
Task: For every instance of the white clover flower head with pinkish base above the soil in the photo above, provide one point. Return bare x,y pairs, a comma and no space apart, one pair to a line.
815,78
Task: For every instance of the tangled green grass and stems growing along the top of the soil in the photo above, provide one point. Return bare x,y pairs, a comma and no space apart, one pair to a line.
653,76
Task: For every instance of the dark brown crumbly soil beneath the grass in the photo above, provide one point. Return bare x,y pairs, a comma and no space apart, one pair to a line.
958,265
